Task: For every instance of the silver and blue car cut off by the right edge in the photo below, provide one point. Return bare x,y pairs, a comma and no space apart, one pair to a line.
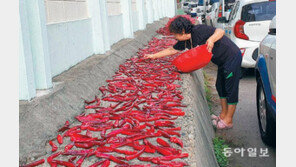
266,85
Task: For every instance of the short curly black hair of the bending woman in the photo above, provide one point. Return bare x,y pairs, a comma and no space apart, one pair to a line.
181,24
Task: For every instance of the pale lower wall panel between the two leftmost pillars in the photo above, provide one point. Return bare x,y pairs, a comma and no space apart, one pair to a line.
68,44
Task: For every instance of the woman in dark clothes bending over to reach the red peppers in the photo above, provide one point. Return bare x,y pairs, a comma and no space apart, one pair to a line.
226,55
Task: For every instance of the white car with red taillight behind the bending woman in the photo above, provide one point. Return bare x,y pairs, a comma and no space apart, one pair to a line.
248,24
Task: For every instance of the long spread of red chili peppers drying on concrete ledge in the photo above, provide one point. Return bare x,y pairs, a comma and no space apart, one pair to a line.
139,122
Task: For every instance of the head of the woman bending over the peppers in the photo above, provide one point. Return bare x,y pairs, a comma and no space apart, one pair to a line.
181,28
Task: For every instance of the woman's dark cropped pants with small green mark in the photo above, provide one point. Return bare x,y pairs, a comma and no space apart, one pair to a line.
228,77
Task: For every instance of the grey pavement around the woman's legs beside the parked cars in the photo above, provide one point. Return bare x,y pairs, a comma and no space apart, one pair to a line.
245,133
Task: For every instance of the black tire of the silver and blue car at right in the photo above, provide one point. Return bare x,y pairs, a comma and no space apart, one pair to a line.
266,124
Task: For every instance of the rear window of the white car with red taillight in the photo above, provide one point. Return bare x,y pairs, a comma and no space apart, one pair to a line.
259,11
